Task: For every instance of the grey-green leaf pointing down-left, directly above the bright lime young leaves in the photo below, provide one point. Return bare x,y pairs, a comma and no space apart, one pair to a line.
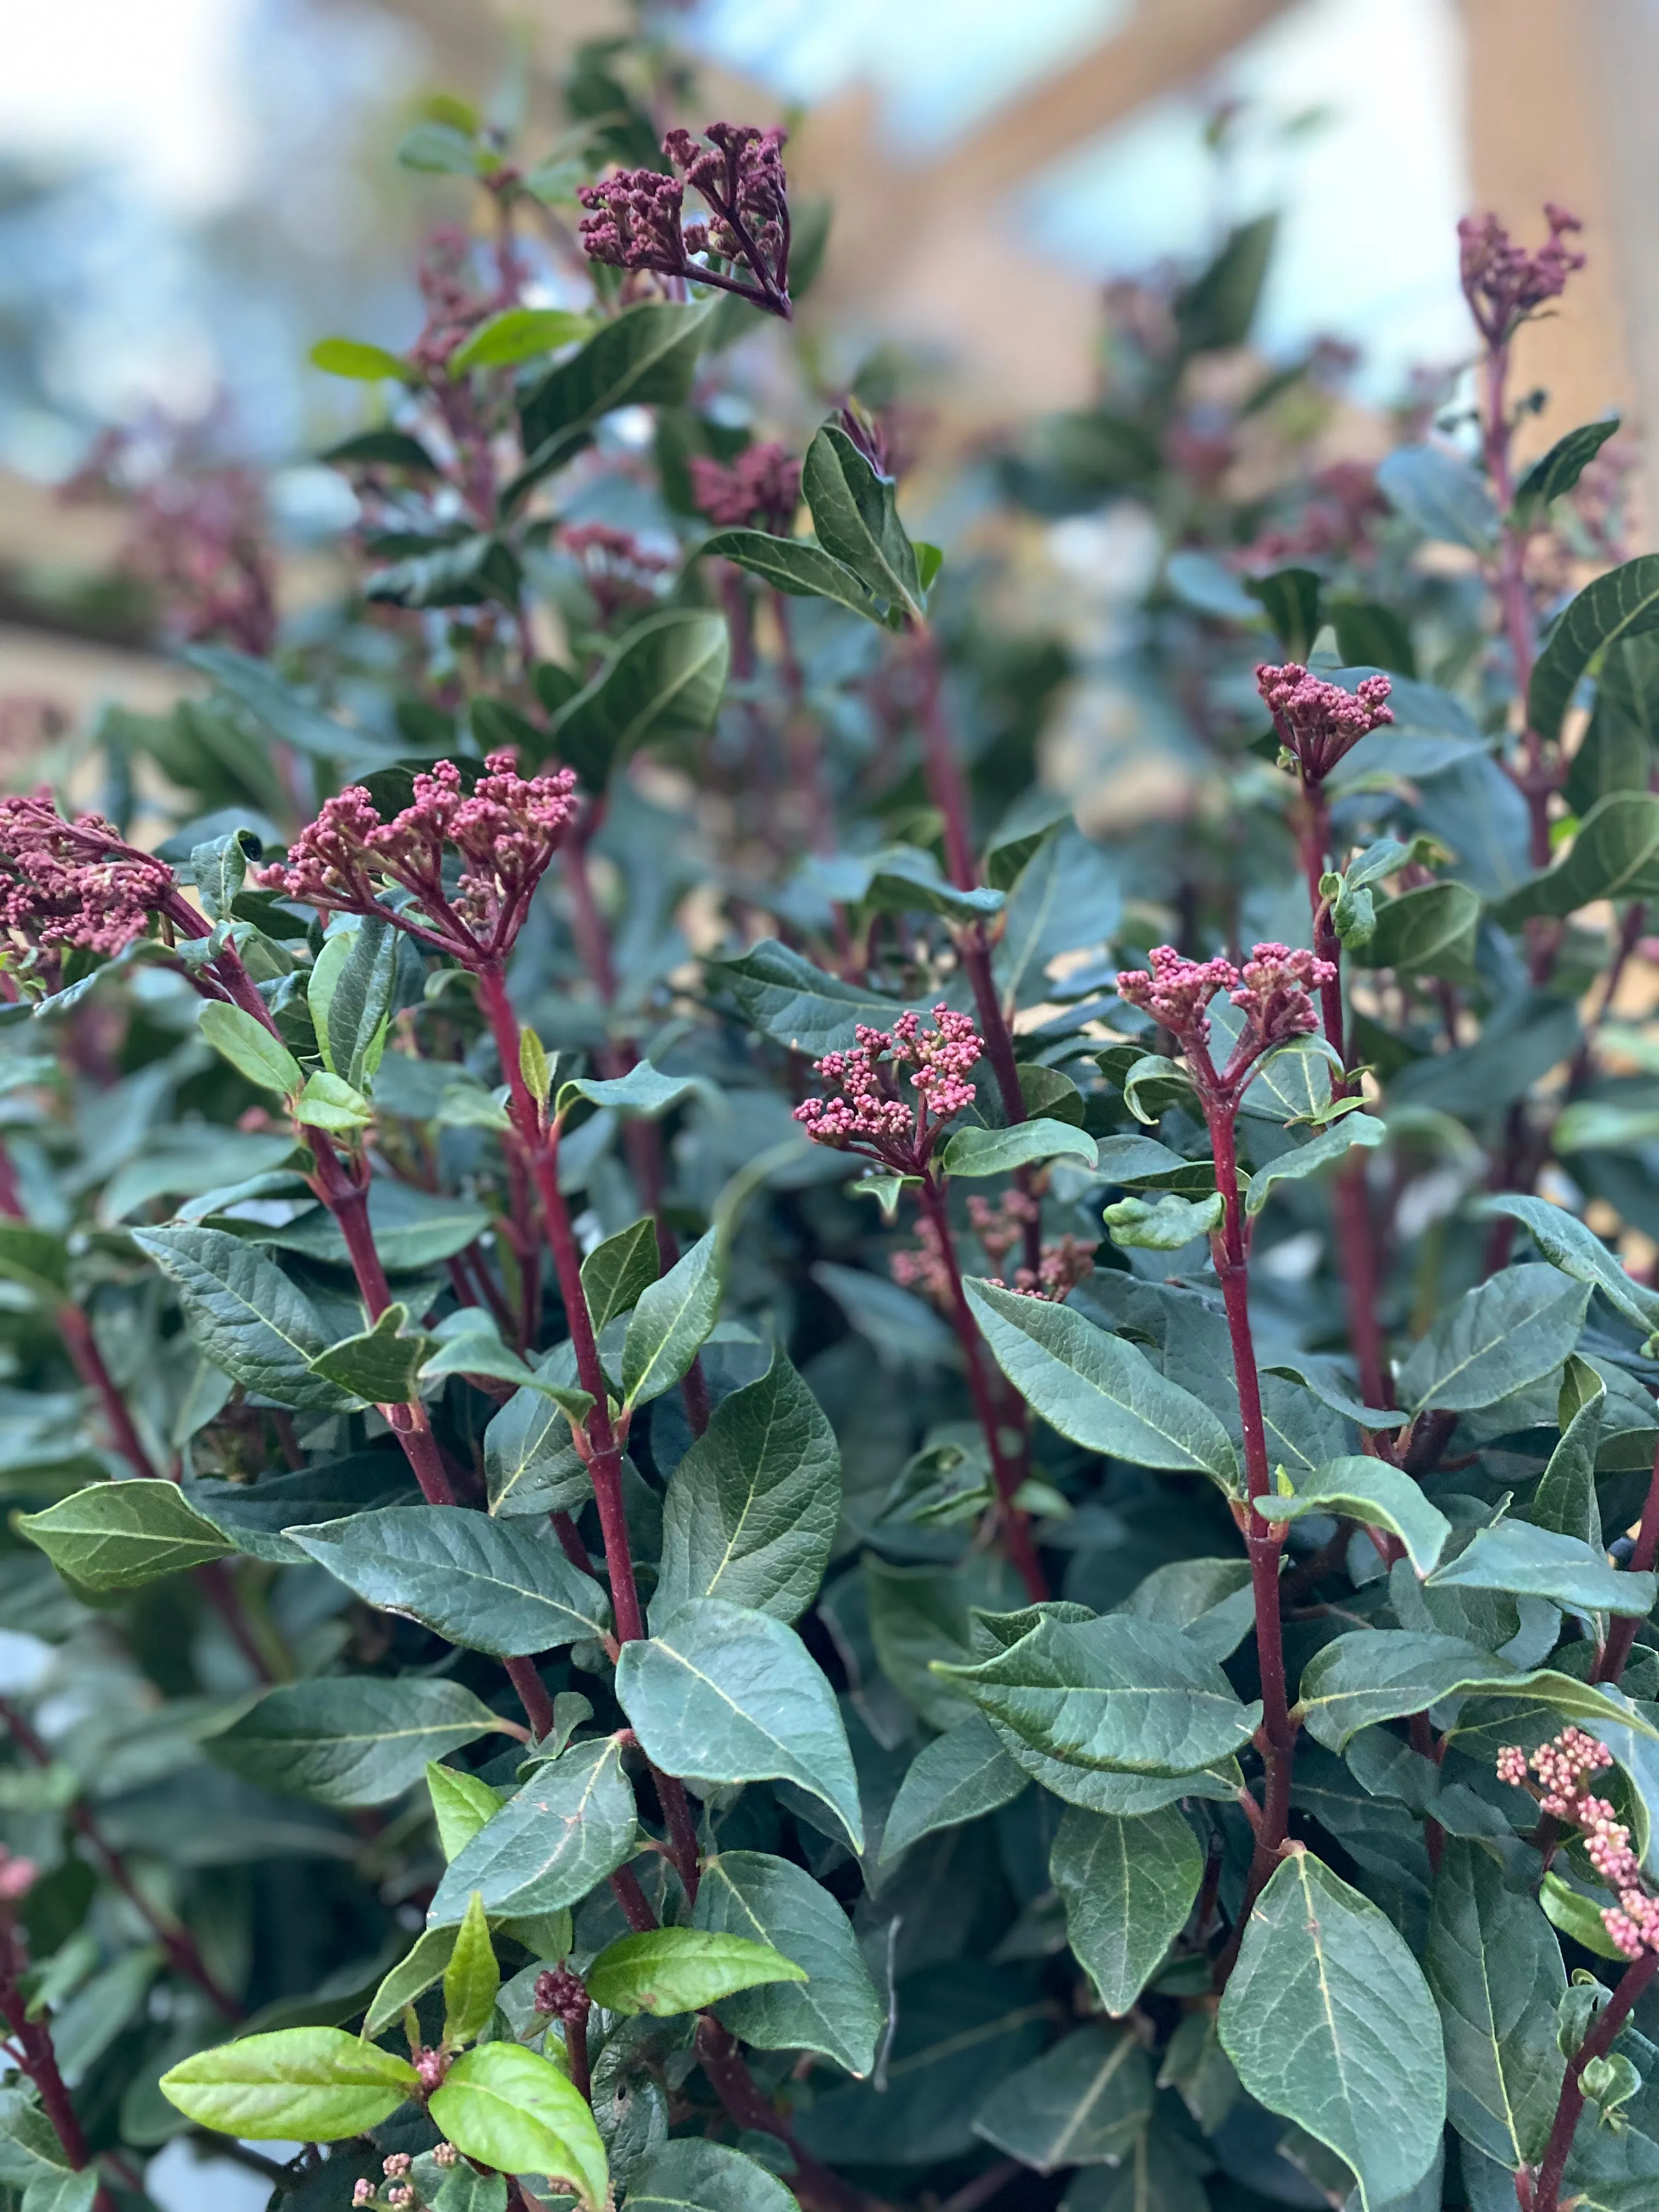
565,1830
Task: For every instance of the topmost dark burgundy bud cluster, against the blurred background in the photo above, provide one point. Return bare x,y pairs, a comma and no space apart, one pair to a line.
638,218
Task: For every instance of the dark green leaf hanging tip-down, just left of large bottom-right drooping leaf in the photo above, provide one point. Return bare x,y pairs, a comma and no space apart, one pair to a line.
1129,1888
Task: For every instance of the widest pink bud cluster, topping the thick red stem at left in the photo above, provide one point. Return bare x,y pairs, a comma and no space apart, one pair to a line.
505,833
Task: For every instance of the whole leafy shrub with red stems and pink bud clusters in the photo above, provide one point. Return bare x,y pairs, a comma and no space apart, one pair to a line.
744,1474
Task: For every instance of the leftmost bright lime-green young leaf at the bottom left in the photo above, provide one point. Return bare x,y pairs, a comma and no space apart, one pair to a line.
320,2080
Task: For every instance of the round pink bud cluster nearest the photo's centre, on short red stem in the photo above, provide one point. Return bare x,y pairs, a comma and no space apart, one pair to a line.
866,1112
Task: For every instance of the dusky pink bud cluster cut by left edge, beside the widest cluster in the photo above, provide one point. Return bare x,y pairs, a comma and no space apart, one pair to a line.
76,881
